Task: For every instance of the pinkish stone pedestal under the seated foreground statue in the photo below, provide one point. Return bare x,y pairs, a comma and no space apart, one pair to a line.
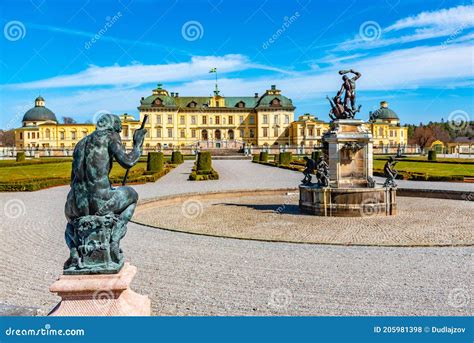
100,295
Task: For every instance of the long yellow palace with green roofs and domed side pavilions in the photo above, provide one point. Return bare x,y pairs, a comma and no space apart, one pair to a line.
215,122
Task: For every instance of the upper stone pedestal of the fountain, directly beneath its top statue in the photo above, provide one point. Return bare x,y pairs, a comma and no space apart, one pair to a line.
350,153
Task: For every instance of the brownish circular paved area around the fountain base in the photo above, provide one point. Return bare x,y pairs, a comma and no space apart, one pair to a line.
419,222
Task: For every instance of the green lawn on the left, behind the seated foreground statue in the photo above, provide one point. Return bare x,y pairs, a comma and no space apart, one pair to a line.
51,170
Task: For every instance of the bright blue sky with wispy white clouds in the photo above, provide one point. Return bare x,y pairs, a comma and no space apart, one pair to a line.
418,55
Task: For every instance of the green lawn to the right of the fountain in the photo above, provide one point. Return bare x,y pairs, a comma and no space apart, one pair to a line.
435,168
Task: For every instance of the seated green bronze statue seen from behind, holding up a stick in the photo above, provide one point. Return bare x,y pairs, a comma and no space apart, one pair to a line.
97,212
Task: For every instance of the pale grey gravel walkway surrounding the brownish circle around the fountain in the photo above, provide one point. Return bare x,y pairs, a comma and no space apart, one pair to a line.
196,275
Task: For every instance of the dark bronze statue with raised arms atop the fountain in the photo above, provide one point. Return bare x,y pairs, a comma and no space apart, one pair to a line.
341,109
